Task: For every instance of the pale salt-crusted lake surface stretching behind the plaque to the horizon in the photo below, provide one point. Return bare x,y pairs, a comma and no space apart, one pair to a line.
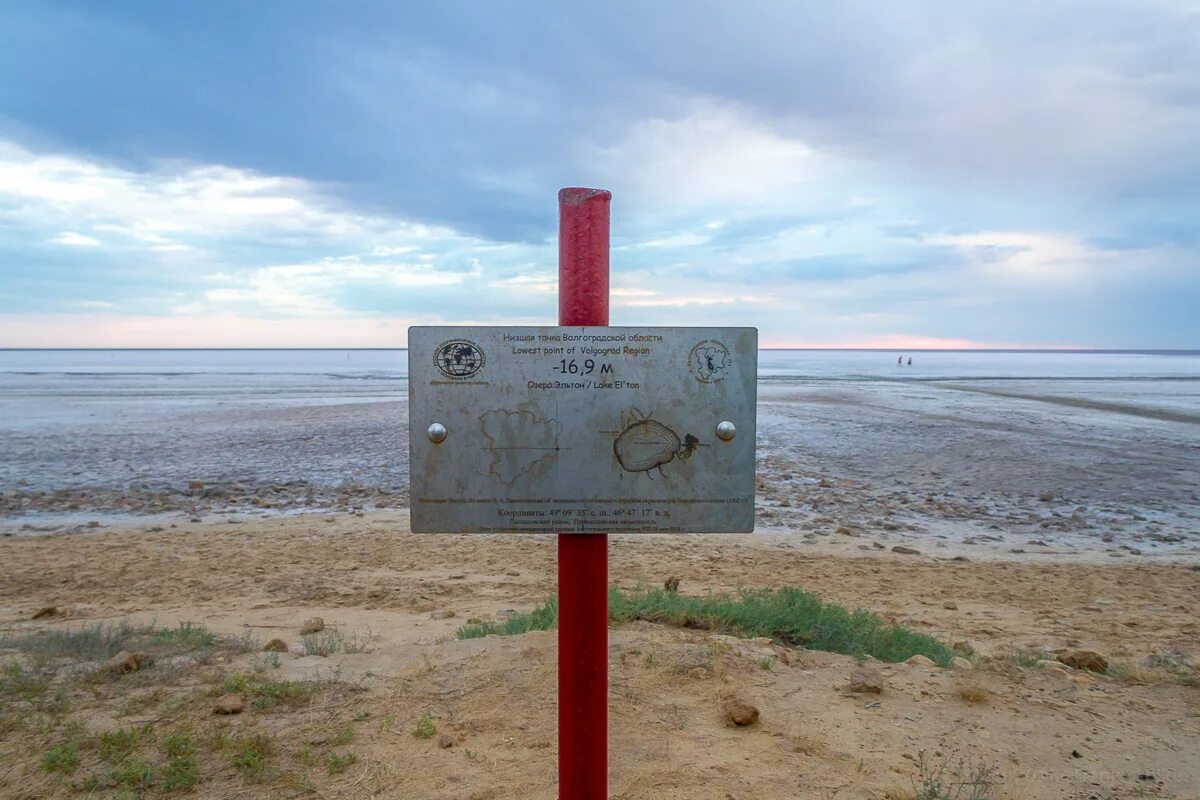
962,441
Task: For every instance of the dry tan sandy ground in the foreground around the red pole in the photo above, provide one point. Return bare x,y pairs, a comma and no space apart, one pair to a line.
1045,733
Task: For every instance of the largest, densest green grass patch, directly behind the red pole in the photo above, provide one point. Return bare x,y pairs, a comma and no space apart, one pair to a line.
788,616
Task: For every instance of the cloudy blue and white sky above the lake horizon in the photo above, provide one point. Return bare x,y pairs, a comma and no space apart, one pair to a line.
837,175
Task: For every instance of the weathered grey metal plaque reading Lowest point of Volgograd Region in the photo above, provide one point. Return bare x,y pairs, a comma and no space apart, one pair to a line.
583,430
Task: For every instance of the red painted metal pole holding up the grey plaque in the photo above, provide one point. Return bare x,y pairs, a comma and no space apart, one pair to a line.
584,558
